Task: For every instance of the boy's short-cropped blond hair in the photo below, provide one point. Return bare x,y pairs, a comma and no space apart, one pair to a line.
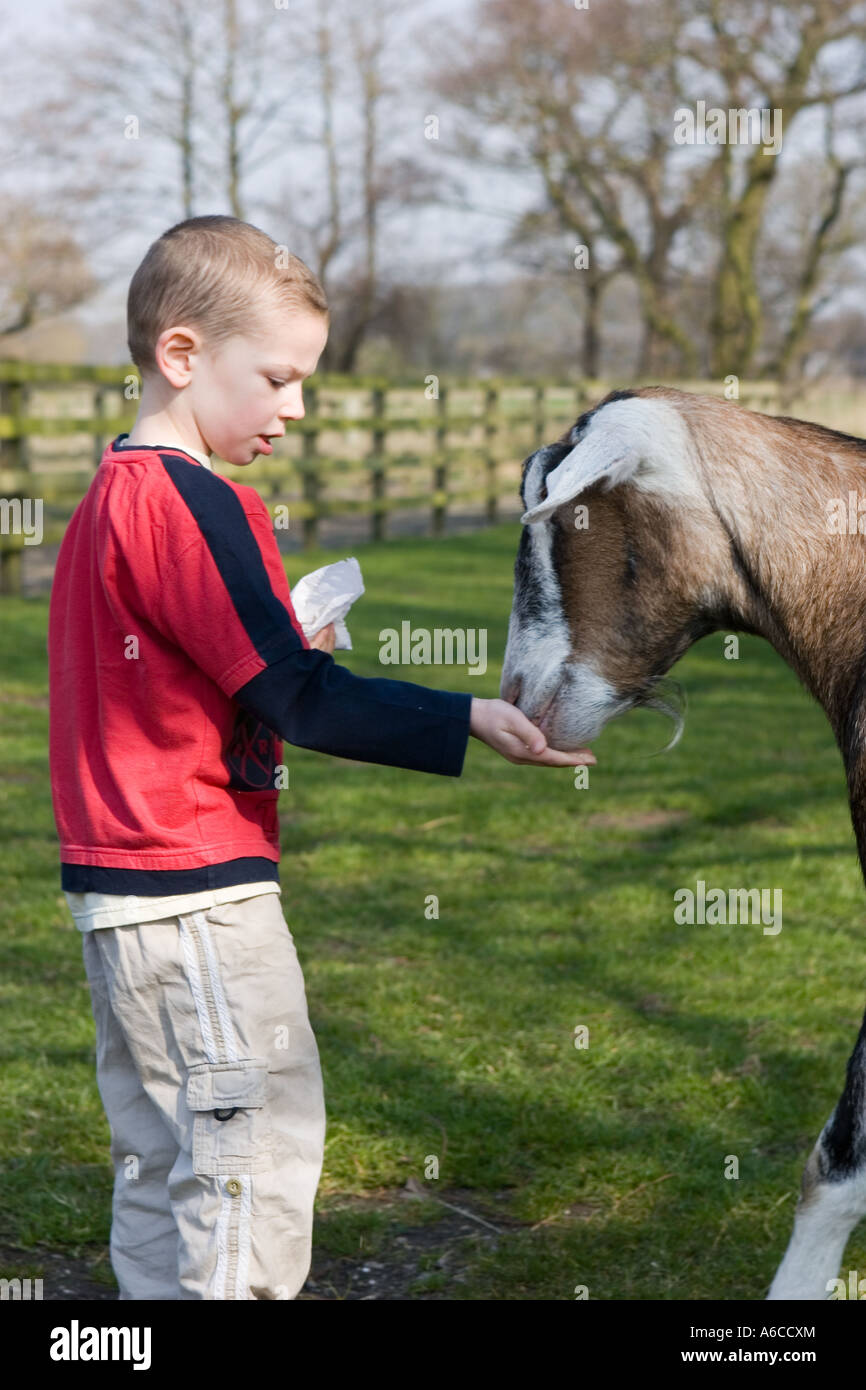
212,273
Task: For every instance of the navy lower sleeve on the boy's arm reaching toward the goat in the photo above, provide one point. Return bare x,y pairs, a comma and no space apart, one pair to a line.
311,701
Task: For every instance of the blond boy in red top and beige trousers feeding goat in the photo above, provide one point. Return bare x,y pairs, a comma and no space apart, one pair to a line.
177,668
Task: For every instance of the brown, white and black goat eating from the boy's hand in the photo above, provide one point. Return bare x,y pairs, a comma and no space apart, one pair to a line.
704,516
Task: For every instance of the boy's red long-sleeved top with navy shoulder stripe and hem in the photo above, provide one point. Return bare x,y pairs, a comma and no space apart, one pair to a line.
177,667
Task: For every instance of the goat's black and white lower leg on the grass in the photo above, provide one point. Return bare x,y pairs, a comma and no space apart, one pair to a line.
833,1193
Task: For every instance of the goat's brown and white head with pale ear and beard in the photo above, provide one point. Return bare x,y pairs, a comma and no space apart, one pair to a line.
611,580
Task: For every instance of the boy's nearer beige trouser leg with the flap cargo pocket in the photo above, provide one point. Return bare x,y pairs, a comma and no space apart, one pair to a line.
215,1014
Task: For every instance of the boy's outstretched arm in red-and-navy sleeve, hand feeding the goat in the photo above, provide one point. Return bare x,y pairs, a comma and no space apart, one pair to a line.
208,575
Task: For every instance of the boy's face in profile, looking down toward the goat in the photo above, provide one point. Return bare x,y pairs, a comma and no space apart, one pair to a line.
244,391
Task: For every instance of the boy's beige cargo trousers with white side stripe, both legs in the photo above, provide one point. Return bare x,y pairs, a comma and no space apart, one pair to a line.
212,1085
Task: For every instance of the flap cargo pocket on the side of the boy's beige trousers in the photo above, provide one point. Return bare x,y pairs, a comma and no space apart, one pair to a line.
231,1129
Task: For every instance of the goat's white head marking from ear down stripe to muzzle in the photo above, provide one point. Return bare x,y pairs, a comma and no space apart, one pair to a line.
644,443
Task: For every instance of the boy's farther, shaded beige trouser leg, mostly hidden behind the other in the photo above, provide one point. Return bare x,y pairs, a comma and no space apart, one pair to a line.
144,1242
